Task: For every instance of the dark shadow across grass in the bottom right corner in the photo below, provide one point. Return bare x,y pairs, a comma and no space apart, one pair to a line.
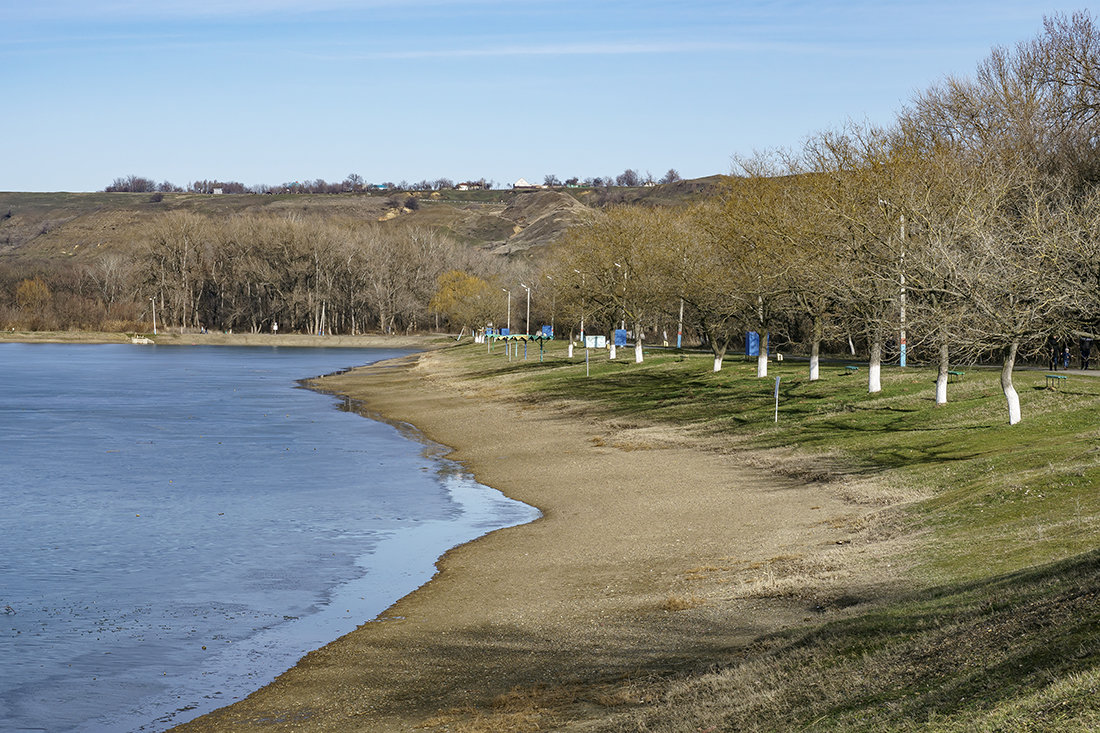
953,654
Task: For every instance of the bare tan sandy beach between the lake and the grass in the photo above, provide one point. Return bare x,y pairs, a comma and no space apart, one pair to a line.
657,554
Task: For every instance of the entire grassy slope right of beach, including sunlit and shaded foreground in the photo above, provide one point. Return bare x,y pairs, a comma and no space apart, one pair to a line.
1000,629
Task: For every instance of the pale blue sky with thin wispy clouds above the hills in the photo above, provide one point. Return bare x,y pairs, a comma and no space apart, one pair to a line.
270,92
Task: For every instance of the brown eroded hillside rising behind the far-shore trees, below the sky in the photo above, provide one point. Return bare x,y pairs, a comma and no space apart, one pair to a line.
61,226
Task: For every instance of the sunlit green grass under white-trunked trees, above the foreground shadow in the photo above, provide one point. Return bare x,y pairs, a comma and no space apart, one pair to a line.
1002,498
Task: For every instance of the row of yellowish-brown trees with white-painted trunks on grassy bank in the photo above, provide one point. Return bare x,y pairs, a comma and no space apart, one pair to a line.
967,229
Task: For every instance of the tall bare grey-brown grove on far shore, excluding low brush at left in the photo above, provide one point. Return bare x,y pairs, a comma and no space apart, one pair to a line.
252,273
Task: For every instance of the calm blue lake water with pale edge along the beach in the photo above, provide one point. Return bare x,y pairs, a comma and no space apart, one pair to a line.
179,526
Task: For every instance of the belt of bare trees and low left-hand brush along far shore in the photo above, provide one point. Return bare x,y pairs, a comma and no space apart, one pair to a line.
250,273
